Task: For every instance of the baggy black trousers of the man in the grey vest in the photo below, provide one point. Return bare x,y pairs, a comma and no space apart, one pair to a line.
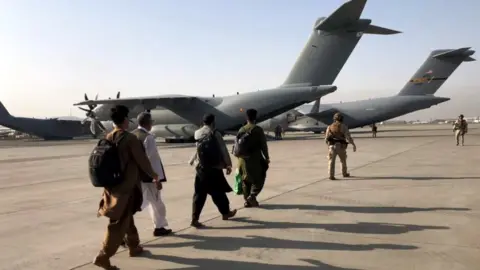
210,182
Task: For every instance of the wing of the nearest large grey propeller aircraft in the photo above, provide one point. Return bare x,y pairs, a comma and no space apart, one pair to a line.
186,107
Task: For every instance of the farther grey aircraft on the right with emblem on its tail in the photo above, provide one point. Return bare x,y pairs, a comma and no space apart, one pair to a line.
417,94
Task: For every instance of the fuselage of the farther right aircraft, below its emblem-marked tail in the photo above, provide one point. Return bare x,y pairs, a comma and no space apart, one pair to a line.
366,112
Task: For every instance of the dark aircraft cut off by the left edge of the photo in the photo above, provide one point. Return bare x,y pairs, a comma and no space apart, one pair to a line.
48,129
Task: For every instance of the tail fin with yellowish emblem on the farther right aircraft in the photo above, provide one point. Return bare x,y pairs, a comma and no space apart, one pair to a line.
436,69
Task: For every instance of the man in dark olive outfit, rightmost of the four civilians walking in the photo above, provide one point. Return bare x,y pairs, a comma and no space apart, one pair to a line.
253,168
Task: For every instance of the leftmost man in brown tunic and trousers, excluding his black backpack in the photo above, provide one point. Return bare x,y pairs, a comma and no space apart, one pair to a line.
121,202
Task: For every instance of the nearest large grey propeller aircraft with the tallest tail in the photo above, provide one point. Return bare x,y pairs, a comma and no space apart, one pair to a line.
331,42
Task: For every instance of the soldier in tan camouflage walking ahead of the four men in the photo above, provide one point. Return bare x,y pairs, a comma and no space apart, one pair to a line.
337,138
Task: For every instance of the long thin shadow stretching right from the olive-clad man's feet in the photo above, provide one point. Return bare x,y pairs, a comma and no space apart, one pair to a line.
358,209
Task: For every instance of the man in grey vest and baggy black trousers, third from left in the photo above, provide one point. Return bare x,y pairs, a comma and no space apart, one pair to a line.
212,157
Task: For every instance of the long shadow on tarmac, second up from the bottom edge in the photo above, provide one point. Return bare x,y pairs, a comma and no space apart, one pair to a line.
228,243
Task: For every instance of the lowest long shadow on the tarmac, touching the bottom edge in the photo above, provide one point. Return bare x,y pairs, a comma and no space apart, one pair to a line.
210,264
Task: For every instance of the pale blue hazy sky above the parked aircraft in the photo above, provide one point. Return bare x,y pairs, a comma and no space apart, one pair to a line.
54,51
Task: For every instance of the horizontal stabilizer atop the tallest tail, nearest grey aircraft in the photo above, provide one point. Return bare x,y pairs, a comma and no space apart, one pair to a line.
347,17
